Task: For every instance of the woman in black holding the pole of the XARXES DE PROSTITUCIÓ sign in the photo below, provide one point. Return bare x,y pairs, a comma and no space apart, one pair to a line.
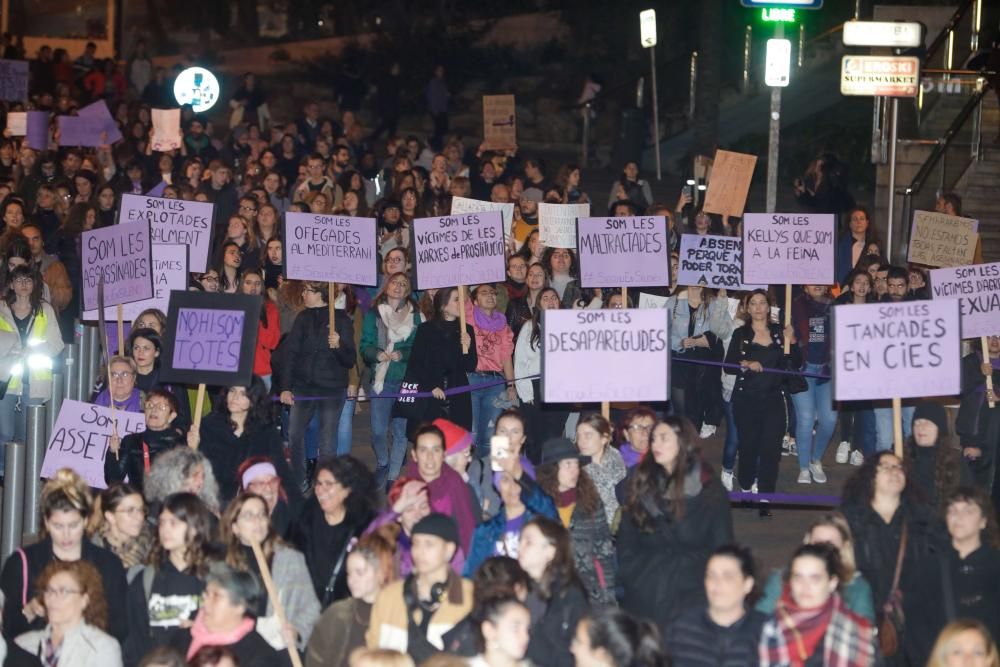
437,362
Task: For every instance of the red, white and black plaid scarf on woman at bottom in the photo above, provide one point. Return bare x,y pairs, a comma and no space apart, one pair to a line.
845,639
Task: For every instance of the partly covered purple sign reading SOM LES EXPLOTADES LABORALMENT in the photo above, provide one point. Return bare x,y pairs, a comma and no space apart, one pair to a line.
174,221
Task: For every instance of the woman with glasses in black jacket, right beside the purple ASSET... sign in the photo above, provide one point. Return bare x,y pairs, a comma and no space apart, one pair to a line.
137,451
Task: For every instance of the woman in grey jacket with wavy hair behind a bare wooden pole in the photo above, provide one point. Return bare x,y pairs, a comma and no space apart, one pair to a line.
245,522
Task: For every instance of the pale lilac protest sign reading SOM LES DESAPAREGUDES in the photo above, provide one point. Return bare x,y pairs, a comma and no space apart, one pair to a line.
605,355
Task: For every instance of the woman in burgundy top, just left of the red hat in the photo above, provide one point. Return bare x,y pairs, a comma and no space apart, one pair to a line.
446,489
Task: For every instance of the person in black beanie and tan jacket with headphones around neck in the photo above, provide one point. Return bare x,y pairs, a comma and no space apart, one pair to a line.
412,615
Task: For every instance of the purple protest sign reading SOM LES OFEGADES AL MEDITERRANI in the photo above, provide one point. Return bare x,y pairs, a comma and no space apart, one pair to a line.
331,248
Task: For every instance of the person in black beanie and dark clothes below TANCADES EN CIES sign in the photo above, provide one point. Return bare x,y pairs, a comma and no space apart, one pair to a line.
938,466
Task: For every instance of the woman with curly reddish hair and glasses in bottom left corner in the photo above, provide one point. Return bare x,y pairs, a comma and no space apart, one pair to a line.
77,613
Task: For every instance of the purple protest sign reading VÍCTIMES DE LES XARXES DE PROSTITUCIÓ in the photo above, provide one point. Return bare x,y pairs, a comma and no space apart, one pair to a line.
463,249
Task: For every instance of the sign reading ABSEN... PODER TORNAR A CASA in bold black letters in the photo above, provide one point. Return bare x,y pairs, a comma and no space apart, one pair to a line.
713,261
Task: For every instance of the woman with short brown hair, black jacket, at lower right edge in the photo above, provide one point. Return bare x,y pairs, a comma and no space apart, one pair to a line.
957,582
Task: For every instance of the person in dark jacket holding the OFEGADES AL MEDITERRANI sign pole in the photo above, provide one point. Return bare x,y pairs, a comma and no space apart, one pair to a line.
317,363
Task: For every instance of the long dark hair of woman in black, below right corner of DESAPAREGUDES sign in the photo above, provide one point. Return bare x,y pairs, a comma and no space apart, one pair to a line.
651,486
